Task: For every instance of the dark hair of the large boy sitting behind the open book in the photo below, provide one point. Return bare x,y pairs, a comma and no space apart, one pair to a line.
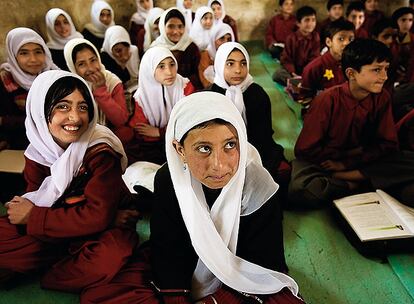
362,52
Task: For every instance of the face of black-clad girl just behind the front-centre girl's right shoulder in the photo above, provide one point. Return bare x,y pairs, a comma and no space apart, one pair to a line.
235,70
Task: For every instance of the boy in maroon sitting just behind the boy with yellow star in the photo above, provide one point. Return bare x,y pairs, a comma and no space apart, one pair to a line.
301,46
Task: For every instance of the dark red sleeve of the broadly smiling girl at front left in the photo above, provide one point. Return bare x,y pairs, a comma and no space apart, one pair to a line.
102,195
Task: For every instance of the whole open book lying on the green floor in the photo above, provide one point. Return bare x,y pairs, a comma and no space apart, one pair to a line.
377,216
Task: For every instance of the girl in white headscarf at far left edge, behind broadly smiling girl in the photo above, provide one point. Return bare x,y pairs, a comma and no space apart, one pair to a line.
27,57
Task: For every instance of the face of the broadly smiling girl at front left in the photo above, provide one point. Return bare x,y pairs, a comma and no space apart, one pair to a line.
69,119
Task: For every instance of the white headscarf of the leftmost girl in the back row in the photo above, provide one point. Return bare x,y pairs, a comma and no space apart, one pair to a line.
55,41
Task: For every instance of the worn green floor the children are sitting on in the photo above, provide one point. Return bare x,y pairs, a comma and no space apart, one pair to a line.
327,268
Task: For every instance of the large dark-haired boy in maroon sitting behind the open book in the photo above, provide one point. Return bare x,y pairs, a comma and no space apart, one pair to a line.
348,142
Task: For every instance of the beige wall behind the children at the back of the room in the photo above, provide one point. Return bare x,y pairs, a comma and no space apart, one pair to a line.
251,15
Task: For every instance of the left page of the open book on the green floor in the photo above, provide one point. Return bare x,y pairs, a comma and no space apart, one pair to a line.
371,218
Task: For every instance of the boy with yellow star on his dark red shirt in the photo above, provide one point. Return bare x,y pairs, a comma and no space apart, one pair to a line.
325,71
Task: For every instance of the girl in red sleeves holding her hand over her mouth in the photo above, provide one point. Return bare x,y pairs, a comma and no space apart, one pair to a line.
82,58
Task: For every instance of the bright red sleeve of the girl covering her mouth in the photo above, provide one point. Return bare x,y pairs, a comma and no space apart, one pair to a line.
112,104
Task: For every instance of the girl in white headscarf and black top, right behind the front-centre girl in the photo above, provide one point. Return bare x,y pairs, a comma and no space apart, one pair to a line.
232,79
